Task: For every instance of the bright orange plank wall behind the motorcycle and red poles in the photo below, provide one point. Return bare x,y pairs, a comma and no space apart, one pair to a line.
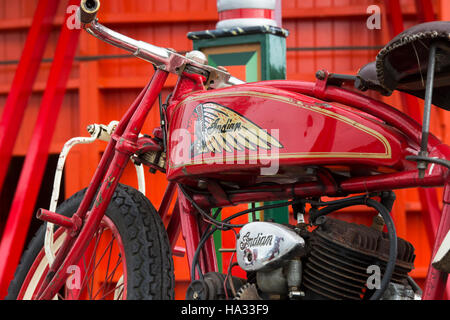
100,91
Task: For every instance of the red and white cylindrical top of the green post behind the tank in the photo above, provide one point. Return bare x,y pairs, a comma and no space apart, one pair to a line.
246,13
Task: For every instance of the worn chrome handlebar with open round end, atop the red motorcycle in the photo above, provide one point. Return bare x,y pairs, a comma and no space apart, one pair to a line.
162,58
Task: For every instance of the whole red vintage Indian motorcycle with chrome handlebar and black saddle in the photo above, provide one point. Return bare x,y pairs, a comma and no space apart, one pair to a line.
222,142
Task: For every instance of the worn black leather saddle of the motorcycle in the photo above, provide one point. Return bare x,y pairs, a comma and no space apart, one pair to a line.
403,63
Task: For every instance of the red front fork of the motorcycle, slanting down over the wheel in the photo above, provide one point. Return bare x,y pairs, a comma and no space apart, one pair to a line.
122,145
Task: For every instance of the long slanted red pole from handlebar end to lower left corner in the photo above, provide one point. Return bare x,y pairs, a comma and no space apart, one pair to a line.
30,179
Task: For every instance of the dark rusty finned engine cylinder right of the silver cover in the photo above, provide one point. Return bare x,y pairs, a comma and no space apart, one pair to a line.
340,256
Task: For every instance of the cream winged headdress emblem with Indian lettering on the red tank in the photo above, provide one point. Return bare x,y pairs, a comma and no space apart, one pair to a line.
217,128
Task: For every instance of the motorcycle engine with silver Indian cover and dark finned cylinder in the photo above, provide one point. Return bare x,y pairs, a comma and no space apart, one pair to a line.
337,260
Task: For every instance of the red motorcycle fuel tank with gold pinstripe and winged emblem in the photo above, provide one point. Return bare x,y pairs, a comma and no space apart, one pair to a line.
260,133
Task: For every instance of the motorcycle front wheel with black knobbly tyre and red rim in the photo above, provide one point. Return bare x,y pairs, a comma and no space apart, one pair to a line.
128,258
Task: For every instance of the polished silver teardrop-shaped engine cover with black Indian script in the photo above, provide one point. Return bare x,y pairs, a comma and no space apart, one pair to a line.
265,245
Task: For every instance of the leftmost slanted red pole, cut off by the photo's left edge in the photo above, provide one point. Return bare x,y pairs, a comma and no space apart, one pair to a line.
24,78
